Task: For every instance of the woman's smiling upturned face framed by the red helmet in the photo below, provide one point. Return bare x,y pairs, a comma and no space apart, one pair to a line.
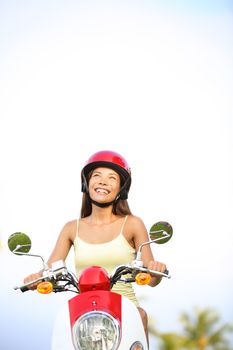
104,185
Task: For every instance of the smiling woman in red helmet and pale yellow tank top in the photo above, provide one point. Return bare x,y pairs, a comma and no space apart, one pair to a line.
107,234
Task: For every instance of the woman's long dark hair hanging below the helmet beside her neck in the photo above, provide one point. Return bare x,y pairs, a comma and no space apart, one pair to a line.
120,207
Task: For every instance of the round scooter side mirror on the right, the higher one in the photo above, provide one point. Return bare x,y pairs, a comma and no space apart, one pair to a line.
161,232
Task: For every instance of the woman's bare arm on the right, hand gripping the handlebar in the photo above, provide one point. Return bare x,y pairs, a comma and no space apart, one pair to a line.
140,236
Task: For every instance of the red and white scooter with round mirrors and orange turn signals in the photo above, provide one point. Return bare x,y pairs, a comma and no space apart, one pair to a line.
96,318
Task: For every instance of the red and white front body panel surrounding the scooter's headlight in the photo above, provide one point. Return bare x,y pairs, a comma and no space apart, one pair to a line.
131,324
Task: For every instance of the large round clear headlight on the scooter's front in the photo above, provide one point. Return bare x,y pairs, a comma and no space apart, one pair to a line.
96,330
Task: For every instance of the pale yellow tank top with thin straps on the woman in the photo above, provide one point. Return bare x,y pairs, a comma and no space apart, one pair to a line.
107,255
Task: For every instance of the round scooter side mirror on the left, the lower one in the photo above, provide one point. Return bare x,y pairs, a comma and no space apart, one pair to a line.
19,243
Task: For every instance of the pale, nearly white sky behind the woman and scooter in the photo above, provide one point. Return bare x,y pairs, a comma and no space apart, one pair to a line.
152,80
